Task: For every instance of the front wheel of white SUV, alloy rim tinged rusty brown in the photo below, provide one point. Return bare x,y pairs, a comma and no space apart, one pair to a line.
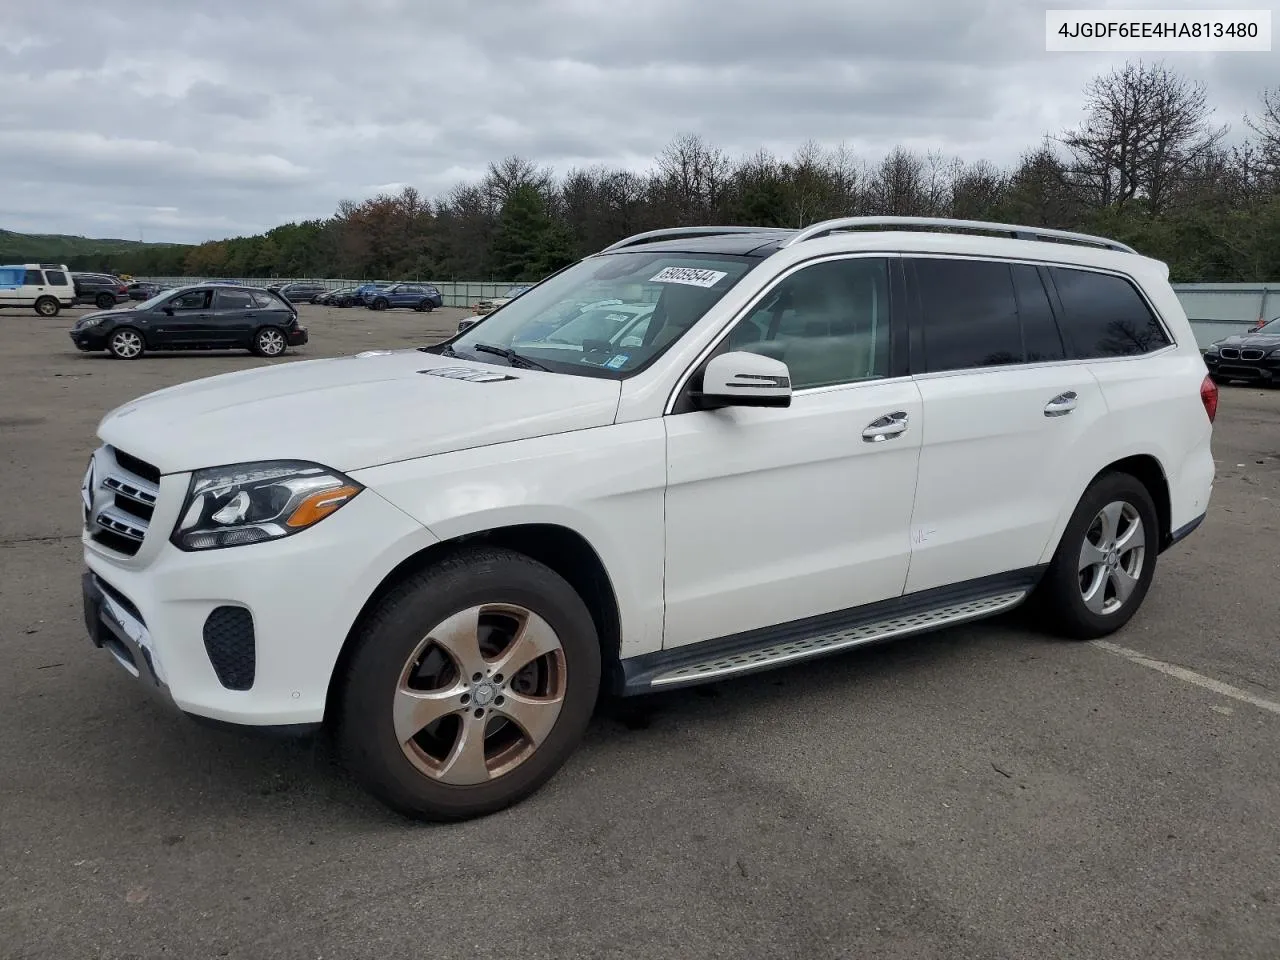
469,688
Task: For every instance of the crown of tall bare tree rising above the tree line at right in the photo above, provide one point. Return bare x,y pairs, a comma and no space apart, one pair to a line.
1145,125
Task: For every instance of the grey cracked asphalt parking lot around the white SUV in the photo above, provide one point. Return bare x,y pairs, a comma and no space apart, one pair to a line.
979,793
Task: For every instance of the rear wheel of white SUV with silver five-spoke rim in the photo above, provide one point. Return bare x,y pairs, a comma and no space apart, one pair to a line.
1105,561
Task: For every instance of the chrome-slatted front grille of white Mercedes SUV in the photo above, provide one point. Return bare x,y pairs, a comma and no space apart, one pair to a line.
121,495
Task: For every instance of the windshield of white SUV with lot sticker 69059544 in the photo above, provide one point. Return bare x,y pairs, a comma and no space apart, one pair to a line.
610,316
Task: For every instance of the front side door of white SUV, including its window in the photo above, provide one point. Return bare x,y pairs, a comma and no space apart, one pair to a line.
776,515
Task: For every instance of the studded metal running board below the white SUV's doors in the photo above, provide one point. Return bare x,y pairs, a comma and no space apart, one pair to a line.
819,637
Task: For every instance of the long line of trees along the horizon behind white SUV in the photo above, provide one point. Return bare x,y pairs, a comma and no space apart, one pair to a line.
1148,166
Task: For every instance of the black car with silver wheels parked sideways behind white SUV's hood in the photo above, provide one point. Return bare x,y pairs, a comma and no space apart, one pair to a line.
204,317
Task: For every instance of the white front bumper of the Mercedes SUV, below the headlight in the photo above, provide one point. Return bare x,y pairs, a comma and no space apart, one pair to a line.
246,636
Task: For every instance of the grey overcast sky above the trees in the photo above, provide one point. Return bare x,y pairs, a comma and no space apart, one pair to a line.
147,118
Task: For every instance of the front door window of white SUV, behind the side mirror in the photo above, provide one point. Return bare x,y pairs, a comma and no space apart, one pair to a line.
829,323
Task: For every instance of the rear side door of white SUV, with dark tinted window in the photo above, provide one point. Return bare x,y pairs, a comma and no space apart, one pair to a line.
1005,414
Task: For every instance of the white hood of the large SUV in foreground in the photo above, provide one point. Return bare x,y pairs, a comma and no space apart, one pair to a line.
354,413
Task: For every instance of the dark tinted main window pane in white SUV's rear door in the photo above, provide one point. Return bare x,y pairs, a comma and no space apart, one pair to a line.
970,314
